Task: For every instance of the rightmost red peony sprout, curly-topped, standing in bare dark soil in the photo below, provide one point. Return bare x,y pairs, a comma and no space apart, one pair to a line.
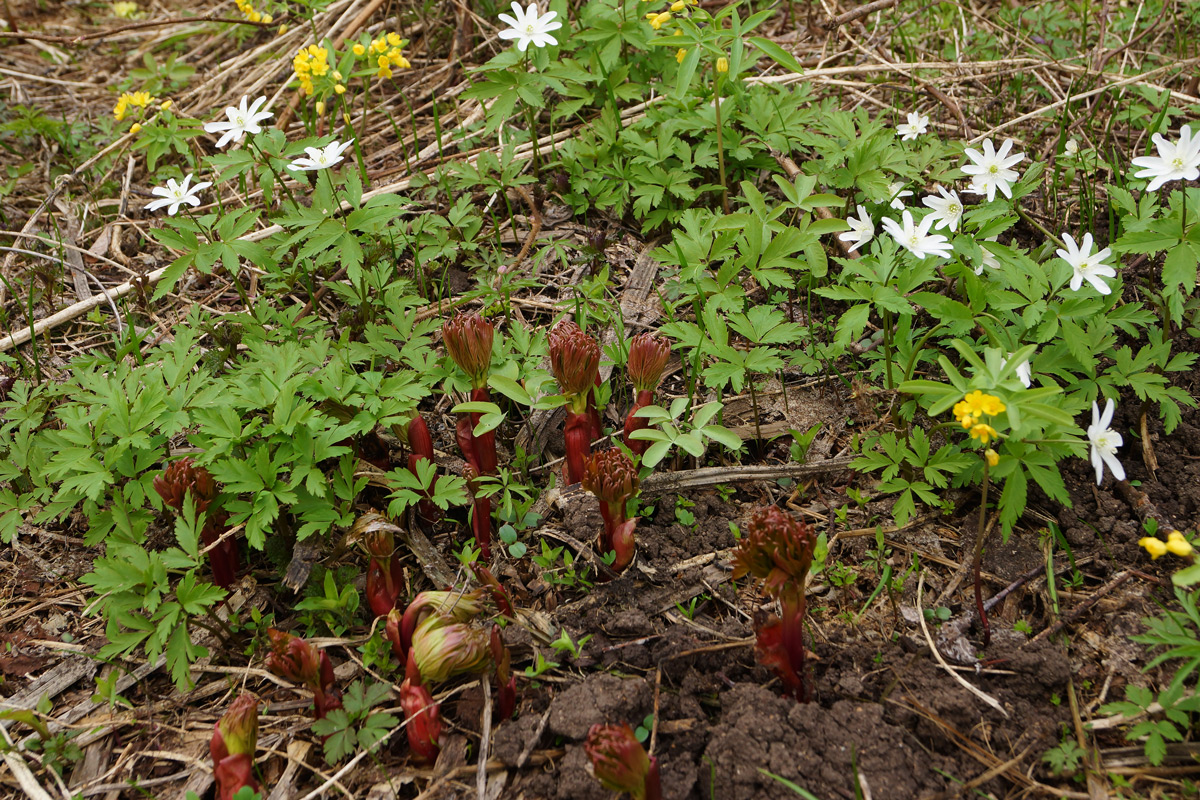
778,550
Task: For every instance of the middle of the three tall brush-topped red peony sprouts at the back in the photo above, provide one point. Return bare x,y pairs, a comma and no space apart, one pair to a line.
575,364
